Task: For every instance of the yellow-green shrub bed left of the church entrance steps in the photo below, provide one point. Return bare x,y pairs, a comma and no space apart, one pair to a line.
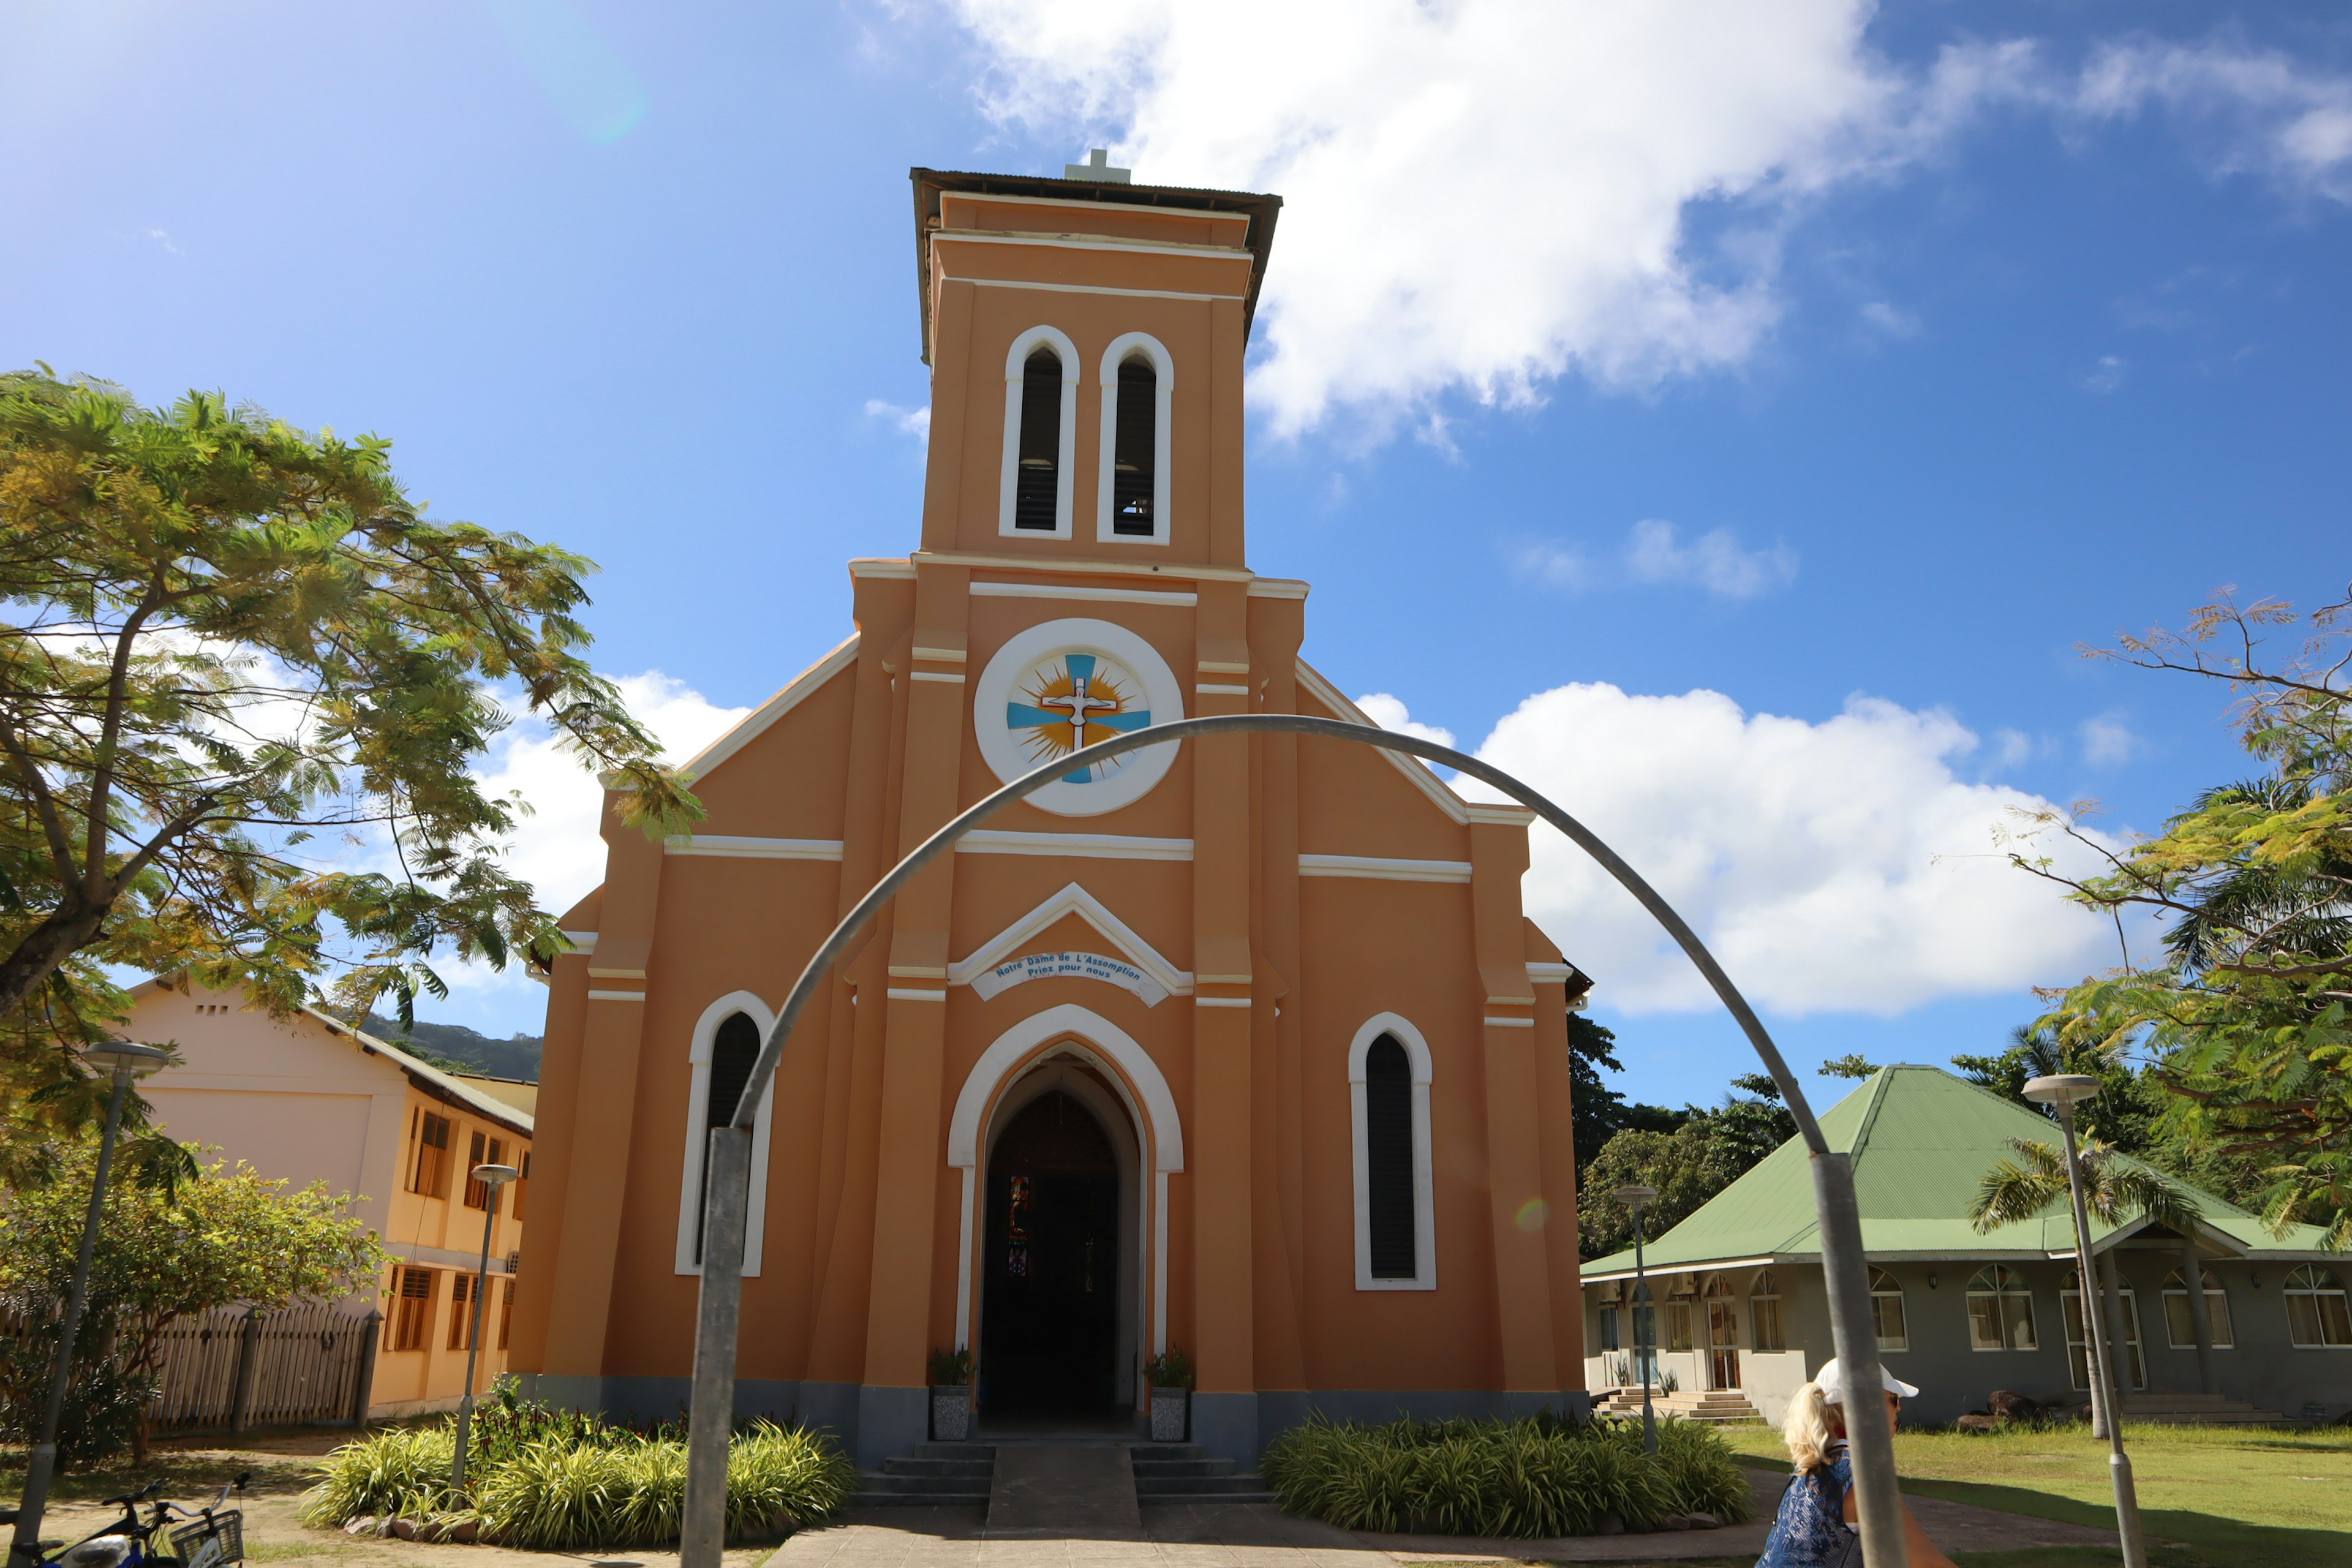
559,1482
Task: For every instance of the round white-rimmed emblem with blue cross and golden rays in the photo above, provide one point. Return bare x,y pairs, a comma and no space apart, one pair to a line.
1064,685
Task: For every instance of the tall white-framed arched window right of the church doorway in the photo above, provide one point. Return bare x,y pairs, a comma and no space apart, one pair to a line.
1389,1078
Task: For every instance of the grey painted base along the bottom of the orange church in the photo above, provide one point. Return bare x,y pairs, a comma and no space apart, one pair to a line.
878,1423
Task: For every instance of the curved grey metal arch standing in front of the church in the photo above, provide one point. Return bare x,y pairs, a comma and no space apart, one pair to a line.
1833,1179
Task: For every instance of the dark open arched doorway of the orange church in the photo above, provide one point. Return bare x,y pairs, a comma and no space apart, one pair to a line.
1050,1304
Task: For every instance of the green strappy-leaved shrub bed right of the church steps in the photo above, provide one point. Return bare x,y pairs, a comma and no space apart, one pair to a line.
1502,1477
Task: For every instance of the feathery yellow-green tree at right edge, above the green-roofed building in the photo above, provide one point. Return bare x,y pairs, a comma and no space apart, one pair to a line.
2243,1017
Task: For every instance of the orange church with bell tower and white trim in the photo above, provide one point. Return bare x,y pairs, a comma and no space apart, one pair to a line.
1238,1047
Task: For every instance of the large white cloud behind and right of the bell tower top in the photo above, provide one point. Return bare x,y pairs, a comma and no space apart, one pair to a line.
1490,194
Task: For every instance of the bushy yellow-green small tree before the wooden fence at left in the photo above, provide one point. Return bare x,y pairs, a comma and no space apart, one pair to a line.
163,1252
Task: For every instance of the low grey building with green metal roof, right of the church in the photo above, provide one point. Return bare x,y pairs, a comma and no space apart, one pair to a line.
1742,1315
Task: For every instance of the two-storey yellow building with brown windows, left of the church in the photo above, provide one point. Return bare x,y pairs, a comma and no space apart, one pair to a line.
307,1099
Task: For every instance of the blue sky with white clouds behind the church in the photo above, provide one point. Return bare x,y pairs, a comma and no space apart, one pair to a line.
1855,373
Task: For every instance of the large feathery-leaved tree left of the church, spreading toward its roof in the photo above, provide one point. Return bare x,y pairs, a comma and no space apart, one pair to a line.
232,652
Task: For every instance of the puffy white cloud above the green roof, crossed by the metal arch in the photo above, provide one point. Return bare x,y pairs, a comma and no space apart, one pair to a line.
1836,866
